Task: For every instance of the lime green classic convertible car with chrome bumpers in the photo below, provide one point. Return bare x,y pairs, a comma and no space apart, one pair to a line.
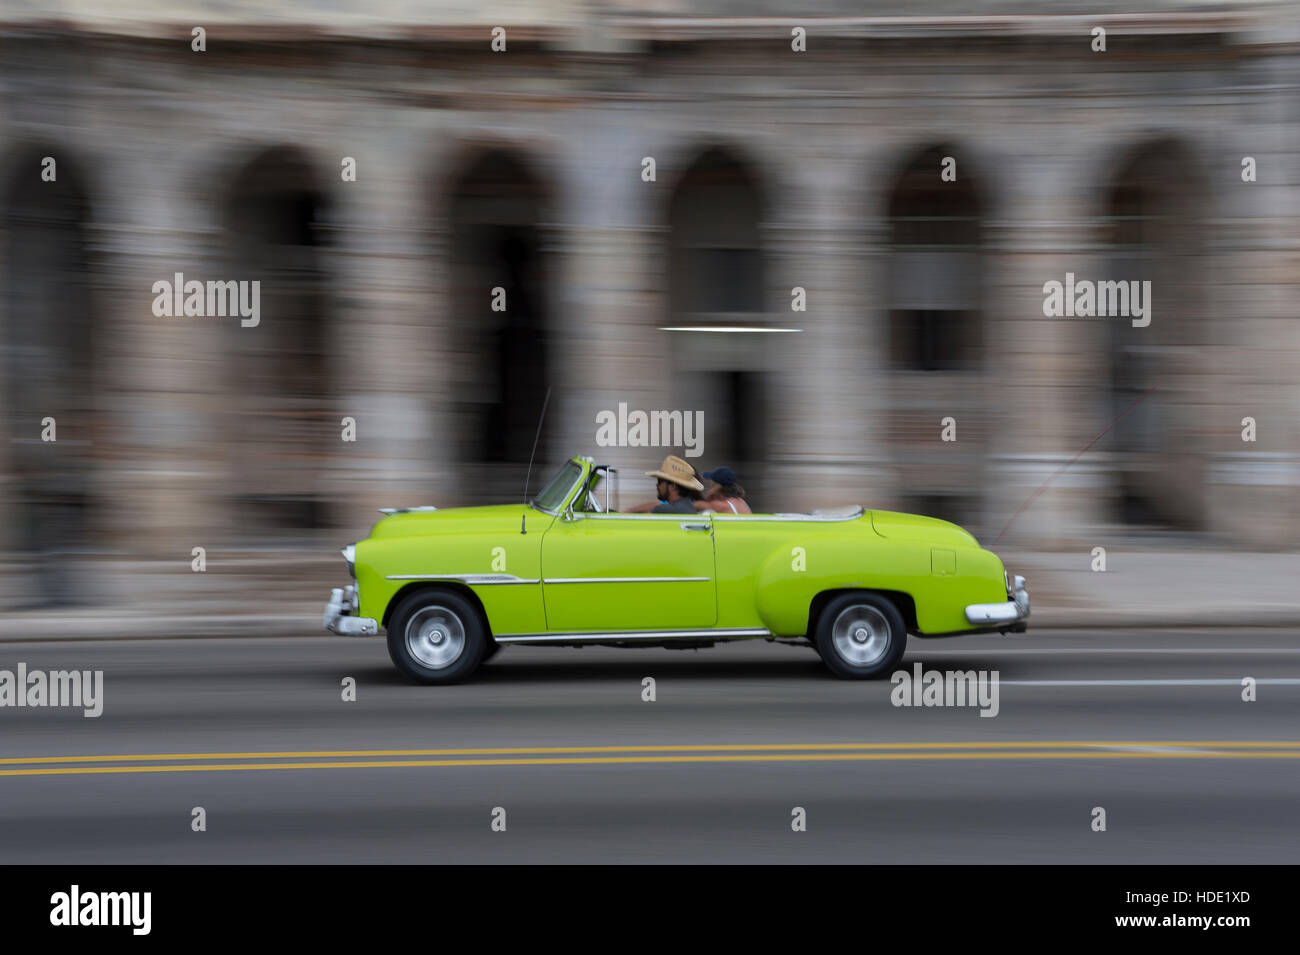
453,587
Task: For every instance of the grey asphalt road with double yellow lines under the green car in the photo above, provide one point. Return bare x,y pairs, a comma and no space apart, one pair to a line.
712,771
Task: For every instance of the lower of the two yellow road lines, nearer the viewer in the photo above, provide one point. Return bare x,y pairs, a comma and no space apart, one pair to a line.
648,759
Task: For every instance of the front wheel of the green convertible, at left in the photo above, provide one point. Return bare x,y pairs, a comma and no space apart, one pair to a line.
437,637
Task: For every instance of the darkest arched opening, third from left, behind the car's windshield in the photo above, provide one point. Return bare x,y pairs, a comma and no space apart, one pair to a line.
501,270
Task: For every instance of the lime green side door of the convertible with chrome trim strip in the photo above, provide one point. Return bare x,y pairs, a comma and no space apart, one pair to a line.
630,572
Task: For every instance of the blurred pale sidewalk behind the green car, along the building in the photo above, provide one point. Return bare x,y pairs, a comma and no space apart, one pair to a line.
1139,589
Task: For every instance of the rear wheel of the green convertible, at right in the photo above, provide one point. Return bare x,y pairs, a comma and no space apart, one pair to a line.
861,636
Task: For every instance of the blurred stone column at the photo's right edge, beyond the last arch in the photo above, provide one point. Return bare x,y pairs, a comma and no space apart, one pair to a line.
1254,488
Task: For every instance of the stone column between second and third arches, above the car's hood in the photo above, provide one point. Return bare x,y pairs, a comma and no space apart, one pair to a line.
391,333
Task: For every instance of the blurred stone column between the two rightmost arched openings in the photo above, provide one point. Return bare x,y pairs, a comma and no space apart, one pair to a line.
1047,374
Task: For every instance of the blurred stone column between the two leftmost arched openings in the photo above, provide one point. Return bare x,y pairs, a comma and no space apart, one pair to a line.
162,377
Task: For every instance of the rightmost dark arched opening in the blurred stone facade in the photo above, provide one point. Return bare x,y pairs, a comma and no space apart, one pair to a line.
1151,235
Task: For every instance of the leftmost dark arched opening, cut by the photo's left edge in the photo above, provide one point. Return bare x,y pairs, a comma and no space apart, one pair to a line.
50,377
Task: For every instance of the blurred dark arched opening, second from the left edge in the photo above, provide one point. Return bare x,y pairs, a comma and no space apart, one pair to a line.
284,426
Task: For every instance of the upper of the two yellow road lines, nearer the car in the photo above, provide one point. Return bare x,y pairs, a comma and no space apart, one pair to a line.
736,748
